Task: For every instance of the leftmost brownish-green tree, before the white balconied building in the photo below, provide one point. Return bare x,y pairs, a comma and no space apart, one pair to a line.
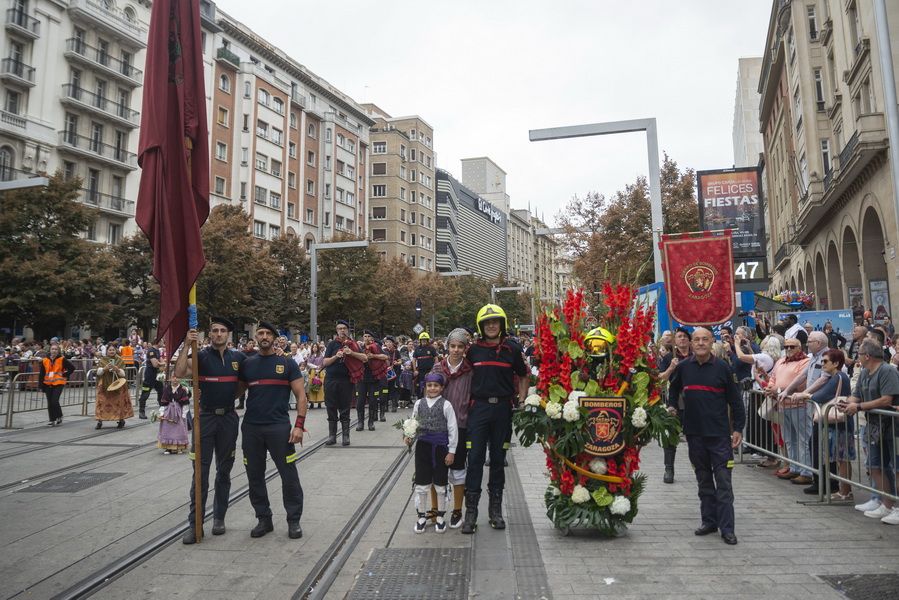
50,274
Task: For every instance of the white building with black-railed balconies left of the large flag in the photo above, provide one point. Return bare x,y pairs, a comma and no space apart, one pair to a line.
71,87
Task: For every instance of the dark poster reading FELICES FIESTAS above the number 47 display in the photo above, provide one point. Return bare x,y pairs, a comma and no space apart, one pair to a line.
732,199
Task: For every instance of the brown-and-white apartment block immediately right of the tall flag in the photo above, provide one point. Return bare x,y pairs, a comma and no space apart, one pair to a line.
285,144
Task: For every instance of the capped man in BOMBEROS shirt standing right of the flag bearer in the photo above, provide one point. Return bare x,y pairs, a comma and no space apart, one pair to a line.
269,379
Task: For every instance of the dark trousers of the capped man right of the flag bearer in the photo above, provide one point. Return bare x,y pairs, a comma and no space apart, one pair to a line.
272,439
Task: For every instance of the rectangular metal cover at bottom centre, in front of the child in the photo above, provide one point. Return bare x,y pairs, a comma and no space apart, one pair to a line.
414,574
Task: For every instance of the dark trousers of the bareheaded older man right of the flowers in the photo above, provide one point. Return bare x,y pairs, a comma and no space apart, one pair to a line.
713,461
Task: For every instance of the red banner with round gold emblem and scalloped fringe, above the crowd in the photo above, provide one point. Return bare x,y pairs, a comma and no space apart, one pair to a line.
699,277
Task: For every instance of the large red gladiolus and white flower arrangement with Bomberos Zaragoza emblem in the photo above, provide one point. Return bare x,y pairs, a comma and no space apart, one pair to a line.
593,485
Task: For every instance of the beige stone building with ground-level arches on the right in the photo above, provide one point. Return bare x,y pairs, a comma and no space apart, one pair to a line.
832,217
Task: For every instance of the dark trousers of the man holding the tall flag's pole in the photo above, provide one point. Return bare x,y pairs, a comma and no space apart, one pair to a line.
218,434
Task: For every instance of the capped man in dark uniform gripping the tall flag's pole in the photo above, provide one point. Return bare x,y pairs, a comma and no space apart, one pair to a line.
218,368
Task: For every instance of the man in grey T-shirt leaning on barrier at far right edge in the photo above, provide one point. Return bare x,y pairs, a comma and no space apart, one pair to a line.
877,387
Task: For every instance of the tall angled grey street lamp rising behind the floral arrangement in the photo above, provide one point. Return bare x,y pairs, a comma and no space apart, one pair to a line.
652,150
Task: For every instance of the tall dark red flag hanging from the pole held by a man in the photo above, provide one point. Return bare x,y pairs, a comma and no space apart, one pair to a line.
173,201
